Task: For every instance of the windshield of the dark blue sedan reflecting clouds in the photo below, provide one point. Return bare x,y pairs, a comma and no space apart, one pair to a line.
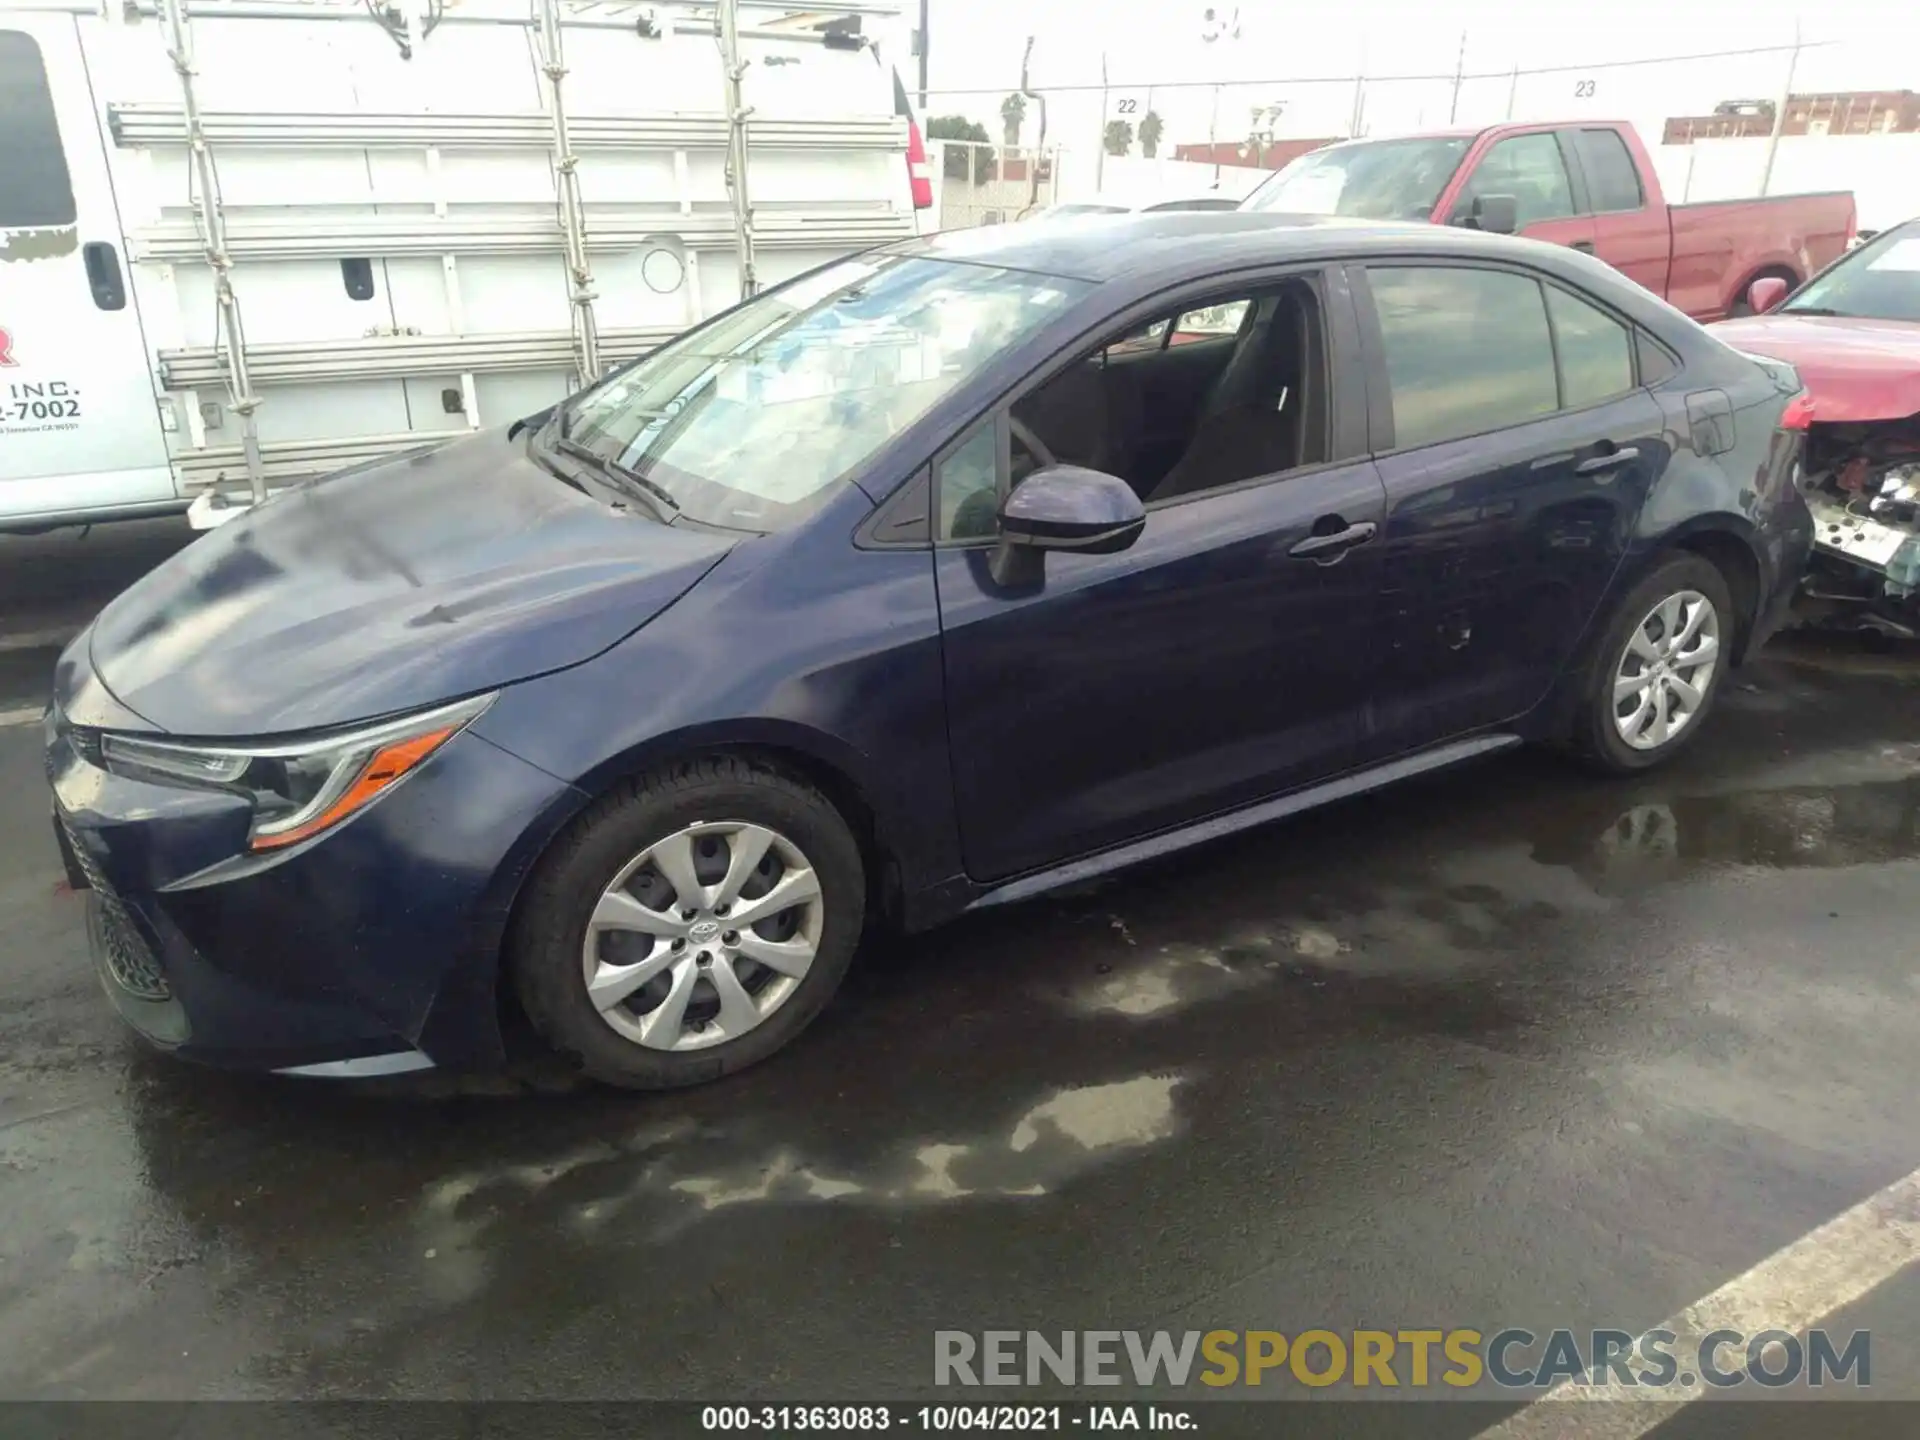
756,420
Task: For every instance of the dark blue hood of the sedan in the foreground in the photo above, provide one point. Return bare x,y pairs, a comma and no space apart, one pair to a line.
389,588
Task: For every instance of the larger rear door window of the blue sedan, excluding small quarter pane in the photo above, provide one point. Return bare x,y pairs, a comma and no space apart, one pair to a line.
1466,350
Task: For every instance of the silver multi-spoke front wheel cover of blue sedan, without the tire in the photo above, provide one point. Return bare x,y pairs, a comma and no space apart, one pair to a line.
704,936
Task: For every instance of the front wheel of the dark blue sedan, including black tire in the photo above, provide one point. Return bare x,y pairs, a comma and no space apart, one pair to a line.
669,980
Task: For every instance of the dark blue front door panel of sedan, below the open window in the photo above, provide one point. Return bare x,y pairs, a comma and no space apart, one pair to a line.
1130,694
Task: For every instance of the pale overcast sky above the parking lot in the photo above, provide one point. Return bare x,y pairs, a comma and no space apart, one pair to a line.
1285,45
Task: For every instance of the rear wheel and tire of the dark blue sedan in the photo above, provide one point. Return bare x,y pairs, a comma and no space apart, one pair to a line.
1602,731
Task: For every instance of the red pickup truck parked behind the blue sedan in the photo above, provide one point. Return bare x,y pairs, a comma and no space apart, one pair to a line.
1589,185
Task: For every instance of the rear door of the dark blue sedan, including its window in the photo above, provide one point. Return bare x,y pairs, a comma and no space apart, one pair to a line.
1518,450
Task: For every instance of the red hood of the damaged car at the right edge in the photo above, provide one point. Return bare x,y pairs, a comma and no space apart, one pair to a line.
1854,370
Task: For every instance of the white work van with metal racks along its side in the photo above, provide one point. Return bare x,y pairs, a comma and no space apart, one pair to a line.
245,243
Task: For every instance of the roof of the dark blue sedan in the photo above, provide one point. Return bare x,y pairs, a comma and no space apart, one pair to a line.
1174,247
